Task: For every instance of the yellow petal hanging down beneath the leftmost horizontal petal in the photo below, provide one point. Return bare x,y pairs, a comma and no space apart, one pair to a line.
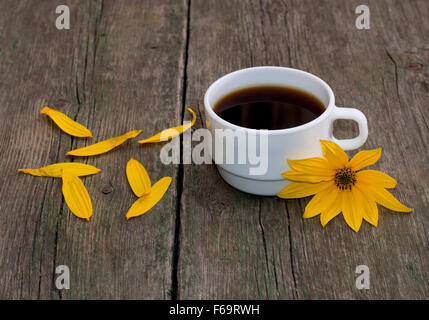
76,196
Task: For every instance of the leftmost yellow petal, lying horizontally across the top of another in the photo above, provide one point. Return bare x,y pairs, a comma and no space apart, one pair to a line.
55,170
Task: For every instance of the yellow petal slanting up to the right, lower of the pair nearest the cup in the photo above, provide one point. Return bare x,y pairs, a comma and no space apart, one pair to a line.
146,202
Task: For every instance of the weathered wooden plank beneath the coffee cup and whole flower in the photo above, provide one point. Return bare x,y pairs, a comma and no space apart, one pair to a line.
233,245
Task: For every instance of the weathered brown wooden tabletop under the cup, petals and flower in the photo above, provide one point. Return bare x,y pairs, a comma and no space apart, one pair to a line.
126,65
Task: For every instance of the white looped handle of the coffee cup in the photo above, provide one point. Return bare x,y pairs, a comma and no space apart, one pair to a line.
355,115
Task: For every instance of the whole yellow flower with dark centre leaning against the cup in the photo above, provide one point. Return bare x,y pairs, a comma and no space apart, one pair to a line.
339,185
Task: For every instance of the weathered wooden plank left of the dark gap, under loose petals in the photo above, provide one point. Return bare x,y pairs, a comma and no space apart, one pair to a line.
119,68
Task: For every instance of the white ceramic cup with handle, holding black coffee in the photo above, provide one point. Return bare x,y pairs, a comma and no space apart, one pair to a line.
253,160
